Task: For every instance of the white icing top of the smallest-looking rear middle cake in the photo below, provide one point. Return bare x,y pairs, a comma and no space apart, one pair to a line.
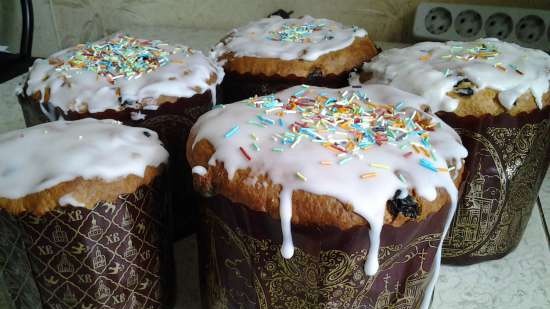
256,39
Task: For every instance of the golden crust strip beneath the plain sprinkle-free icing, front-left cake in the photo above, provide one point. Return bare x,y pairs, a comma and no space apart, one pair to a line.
85,191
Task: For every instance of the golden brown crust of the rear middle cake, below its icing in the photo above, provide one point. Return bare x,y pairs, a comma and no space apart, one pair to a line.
334,63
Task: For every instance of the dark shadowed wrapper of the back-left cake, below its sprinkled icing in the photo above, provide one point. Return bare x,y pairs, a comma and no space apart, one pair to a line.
172,121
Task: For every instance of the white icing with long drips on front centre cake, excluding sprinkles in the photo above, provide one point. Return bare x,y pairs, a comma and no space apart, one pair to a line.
228,128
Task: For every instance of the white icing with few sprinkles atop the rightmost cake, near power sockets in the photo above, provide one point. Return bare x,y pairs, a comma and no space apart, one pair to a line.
432,70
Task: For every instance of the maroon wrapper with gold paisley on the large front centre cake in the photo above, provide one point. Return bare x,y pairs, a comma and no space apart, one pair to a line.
243,271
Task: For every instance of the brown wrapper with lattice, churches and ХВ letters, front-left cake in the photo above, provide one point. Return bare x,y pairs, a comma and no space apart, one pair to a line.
112,256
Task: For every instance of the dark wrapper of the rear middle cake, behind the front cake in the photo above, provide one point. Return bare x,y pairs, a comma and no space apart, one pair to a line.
237,87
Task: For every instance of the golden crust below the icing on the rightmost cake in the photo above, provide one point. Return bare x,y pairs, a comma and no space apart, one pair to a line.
485,101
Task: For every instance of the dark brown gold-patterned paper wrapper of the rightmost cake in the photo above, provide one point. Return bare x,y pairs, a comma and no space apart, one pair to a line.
507,160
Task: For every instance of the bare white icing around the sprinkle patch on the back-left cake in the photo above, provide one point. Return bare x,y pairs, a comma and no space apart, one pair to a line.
184,75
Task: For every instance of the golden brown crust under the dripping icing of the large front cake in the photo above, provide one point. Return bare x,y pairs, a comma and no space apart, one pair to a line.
307,208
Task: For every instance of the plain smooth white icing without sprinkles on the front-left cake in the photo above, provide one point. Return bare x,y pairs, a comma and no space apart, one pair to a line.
40,157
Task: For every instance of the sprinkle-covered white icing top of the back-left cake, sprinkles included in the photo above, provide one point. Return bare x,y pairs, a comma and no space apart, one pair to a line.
121,72
